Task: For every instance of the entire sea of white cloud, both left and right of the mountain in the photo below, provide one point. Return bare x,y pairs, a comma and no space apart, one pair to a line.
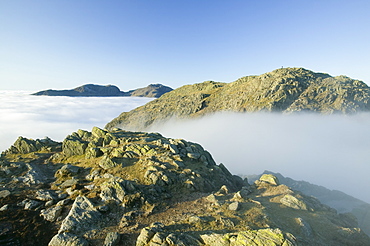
333,151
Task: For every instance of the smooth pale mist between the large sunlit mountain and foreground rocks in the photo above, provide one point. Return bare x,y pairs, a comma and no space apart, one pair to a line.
332,151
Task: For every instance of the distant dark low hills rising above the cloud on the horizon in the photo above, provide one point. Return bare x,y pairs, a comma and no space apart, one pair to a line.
90,90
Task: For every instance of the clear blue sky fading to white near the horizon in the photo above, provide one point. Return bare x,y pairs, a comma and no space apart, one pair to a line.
63,44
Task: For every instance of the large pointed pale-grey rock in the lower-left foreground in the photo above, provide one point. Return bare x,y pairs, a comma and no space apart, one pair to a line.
83,216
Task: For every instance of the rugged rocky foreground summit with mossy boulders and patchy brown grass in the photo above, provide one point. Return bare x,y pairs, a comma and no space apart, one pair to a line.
132,188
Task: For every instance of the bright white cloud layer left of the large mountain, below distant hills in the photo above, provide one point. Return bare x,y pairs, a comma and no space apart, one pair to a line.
56,117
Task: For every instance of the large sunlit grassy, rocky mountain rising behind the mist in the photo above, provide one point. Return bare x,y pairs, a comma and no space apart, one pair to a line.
284,90
